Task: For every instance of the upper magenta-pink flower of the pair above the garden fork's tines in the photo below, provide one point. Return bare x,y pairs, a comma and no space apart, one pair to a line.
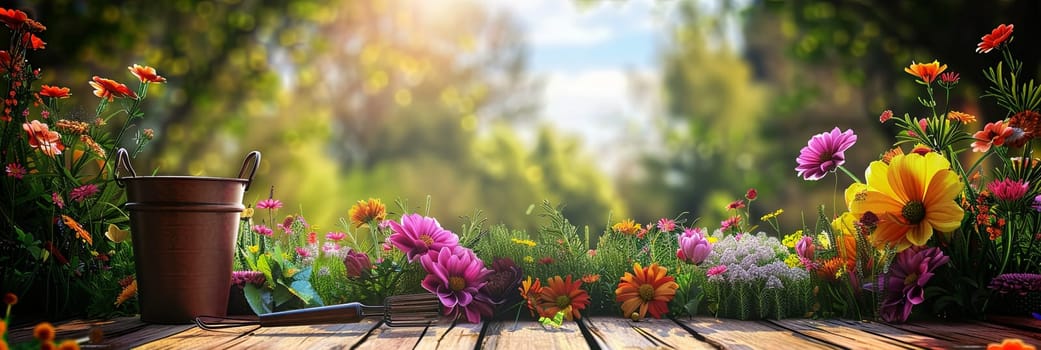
418,235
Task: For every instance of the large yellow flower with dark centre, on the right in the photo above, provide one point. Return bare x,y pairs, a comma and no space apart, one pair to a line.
912,196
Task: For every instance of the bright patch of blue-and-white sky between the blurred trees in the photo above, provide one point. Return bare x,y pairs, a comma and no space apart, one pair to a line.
600,66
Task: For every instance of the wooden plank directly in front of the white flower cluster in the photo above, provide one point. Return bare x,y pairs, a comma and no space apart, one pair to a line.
750,335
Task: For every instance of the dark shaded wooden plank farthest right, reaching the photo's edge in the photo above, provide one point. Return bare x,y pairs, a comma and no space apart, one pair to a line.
970,334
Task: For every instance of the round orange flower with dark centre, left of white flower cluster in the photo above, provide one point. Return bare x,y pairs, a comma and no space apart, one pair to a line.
649,290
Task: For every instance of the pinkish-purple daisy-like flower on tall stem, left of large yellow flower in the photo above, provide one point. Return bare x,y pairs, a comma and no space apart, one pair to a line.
824,154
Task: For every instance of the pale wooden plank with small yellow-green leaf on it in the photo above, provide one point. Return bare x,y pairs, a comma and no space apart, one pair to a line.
530,335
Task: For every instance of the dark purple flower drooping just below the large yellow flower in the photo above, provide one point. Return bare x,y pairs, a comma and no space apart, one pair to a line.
905,285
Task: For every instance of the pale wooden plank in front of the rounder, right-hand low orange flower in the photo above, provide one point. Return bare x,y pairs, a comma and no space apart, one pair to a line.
615,333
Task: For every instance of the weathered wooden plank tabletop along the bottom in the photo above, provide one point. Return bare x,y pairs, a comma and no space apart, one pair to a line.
595,333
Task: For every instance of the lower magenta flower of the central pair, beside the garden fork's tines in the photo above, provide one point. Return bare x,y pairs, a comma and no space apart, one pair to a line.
458,281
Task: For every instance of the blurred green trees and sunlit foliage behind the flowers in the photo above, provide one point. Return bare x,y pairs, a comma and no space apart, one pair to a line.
401,99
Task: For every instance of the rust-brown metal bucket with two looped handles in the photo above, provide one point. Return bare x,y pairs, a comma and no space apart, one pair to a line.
184,231
